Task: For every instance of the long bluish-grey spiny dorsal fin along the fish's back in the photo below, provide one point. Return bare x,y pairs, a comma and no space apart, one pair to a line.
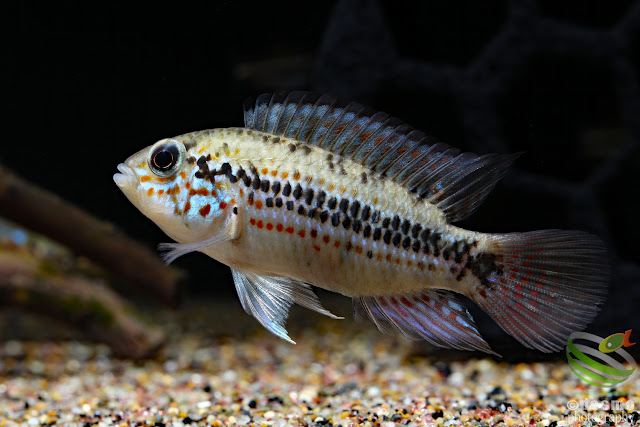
456,182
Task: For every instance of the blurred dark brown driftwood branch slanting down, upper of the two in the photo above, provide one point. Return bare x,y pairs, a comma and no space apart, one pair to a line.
46,213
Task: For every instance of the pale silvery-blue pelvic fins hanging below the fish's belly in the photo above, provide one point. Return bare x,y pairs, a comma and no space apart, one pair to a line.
268,299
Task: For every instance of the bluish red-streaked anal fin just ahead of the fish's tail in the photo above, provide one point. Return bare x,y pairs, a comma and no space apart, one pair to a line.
432,315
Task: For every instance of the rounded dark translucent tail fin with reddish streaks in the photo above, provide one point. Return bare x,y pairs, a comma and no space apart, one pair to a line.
544,286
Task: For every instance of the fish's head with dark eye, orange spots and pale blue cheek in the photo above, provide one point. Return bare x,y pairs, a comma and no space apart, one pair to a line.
166,184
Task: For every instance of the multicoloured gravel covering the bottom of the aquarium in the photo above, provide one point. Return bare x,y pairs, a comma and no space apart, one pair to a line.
339,373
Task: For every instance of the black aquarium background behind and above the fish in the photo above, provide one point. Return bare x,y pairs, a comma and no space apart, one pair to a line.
86,87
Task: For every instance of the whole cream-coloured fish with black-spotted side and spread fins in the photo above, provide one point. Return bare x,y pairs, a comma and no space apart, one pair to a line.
316,192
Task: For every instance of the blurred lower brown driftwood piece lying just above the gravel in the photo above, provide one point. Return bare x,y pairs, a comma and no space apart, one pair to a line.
81,303
